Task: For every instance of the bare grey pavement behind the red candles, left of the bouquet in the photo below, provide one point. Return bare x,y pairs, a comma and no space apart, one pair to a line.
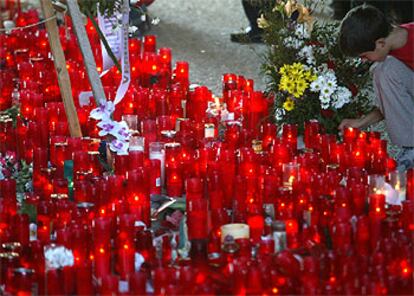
198,32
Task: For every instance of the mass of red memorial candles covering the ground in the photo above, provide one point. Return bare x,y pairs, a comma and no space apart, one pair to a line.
262,216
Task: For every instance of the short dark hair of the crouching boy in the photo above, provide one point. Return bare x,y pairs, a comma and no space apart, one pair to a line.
360,28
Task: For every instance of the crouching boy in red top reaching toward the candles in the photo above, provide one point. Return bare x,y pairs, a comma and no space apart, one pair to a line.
365,32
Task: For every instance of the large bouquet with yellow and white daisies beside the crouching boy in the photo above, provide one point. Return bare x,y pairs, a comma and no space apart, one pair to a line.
309,77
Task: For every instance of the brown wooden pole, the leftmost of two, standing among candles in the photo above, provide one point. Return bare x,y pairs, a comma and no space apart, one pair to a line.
60,65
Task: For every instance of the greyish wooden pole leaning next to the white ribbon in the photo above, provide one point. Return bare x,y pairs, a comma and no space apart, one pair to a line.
85,47
